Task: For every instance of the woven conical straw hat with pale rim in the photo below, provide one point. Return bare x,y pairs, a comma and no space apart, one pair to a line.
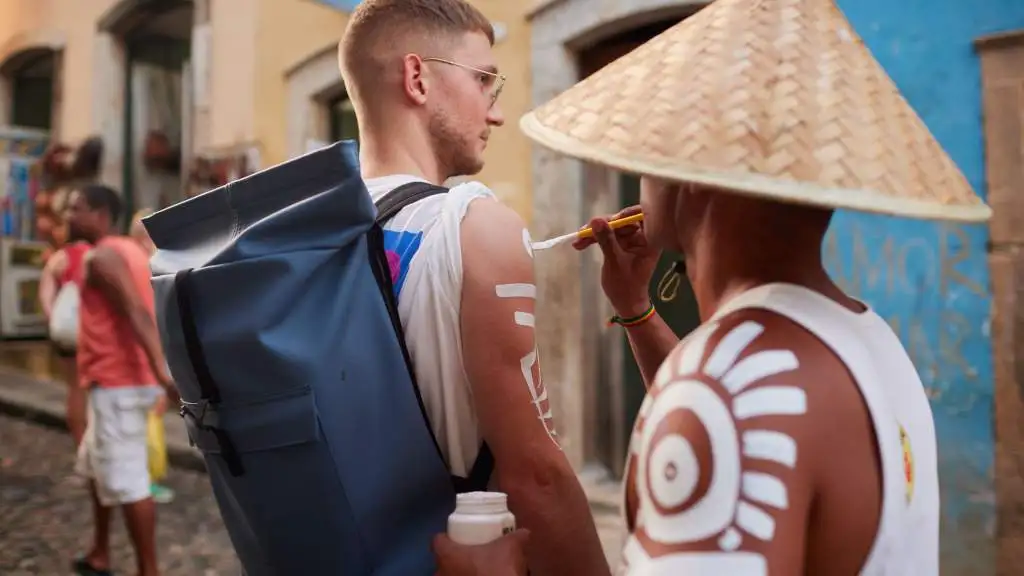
778,99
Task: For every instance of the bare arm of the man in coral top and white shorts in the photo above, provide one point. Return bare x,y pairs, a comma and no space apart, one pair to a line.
109,274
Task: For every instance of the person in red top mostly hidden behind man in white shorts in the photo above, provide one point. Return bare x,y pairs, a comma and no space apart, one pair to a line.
66,267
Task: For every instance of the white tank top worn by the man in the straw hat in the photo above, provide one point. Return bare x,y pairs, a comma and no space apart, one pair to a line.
908,538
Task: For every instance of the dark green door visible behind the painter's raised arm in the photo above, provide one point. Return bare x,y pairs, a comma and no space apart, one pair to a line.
675,304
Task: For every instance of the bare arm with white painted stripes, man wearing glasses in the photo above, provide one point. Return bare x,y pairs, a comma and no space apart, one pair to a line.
510,397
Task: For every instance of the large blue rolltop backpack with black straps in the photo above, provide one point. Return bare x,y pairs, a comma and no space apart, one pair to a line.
278,316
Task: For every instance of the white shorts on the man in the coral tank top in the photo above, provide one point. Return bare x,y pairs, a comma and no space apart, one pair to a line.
113,454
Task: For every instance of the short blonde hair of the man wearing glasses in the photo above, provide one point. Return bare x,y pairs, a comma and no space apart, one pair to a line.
375,24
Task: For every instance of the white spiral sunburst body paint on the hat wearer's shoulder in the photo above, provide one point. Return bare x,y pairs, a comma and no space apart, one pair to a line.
739,503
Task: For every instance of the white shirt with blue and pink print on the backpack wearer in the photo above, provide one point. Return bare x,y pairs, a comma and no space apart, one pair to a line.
425,254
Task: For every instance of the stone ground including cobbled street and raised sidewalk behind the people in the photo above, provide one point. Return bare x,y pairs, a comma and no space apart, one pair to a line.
50,520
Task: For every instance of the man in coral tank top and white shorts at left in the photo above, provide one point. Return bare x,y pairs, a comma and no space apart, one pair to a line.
121,362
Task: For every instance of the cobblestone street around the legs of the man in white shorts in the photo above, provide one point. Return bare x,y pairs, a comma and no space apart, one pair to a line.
46,520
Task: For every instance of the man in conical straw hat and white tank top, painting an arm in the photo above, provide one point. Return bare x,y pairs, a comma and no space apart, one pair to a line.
790,434
